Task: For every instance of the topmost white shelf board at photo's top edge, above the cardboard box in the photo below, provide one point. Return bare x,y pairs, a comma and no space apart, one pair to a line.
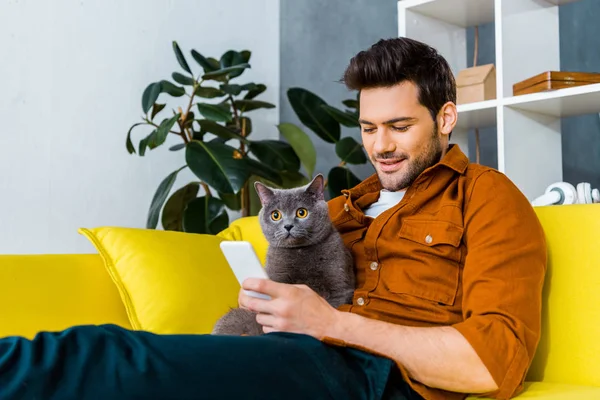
463,13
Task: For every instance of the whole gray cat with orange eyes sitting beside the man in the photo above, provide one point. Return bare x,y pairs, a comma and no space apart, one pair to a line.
304,248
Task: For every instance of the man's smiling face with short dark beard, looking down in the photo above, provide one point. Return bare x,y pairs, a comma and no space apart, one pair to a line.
399,135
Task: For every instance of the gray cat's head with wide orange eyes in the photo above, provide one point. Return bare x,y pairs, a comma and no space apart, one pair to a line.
294,217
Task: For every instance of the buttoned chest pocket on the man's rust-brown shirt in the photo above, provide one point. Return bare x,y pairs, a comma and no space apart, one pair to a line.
426,262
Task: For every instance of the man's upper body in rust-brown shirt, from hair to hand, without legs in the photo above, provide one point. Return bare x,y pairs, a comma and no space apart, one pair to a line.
450,256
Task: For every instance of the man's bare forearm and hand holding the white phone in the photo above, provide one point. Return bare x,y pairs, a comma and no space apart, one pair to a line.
438,357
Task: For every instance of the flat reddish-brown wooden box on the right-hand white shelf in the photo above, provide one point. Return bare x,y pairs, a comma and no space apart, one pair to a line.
553,80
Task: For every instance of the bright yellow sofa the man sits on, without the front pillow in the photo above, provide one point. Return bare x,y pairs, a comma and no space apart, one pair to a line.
53,292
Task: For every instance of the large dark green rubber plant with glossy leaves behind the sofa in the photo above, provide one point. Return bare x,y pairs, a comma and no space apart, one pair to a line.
215,131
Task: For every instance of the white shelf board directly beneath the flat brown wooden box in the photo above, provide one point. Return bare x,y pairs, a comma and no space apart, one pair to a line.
568,102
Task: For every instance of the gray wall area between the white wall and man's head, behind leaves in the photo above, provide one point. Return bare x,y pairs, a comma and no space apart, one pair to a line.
318,39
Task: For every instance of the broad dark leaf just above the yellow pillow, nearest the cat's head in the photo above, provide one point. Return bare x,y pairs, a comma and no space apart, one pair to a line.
205,215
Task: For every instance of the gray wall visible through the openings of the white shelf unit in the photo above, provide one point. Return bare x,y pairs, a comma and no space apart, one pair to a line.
579,51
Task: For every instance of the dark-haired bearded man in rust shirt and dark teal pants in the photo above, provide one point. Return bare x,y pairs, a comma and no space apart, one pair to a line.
450,260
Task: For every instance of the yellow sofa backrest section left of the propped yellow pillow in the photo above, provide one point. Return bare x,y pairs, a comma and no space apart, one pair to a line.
52,292
